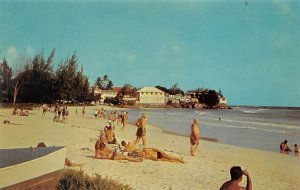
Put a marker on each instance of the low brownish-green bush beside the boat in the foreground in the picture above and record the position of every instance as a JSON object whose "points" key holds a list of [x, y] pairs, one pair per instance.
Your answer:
{"points": [[73, 179]]}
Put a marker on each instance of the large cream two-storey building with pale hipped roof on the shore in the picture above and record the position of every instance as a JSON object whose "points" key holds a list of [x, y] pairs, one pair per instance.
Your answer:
{"points": [[151, 95]]}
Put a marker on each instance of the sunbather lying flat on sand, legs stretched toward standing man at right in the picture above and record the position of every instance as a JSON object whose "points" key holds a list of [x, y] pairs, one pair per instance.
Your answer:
{"points": [[158, 155]]}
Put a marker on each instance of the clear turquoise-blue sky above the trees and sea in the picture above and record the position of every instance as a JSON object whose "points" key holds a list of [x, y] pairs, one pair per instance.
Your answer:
{"points": [[251, 52]]}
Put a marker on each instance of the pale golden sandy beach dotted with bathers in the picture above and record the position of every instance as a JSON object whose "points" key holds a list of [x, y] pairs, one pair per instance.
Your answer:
{"points": [[208, 170]]}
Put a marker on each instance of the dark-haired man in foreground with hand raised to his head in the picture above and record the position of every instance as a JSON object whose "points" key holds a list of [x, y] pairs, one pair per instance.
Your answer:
{"points": [[236, 174]]}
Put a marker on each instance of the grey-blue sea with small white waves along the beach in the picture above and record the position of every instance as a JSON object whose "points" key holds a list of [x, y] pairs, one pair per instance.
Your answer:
{"points": [[253, 127]]}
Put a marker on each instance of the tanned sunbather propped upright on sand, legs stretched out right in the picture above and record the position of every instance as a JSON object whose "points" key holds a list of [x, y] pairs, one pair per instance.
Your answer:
{"points": [[102, 151]]}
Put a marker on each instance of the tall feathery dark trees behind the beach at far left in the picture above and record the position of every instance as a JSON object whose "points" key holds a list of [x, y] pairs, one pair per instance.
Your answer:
{"points": [[36, 81]]}
